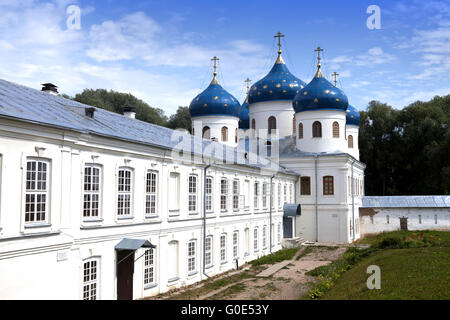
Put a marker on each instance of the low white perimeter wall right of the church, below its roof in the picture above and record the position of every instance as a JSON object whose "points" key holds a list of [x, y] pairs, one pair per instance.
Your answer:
{"points": [[375, 220]]}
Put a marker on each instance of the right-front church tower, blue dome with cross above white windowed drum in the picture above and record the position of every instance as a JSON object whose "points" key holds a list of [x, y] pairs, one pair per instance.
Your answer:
{"points": [[320, 113]]}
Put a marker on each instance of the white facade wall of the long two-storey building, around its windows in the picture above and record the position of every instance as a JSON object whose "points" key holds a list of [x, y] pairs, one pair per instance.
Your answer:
{"points": [[29, 267]]}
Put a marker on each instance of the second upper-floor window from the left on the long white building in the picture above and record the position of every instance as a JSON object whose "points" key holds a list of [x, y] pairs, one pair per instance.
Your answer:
{"points": [[91, 194]]}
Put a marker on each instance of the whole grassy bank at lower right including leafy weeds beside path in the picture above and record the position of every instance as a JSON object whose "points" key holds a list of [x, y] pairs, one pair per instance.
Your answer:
{"points": [[413, 264]]}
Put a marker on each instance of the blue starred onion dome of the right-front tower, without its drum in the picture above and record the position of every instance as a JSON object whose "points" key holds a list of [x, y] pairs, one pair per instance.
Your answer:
{"points": [[320, 94]]}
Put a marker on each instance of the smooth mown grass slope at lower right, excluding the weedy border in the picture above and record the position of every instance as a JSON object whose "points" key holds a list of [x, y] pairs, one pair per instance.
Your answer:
{"points": [[417, 273]]}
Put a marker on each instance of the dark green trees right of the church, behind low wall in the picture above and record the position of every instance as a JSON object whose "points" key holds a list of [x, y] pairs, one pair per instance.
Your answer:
{"points": [[407, 152]]}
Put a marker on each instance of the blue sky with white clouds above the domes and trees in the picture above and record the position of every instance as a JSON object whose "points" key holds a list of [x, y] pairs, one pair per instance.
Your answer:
{"points": [[161, 51]]}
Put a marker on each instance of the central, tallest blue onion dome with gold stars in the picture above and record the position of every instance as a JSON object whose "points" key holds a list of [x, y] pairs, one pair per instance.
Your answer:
{"points": [[278, 84]]}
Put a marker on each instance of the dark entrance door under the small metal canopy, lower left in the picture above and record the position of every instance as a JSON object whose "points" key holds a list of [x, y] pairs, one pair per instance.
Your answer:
{"points": [[125, 271]]}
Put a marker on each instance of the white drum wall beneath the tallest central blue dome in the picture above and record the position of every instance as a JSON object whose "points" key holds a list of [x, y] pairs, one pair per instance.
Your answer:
{"points": [[282, 110]]}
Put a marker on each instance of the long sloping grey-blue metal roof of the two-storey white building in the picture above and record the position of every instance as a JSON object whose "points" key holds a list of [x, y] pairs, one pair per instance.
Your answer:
{"points": [[31, 105]]}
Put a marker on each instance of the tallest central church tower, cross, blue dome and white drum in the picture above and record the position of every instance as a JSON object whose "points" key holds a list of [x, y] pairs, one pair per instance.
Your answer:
{"points": [[270, 99]]}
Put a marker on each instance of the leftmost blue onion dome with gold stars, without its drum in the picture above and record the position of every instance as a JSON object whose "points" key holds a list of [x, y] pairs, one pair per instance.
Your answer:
{"points": [[214, 101]]}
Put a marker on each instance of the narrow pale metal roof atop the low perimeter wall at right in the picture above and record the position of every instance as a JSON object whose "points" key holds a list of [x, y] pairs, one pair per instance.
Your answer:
{"points": [[406, 202]]}
